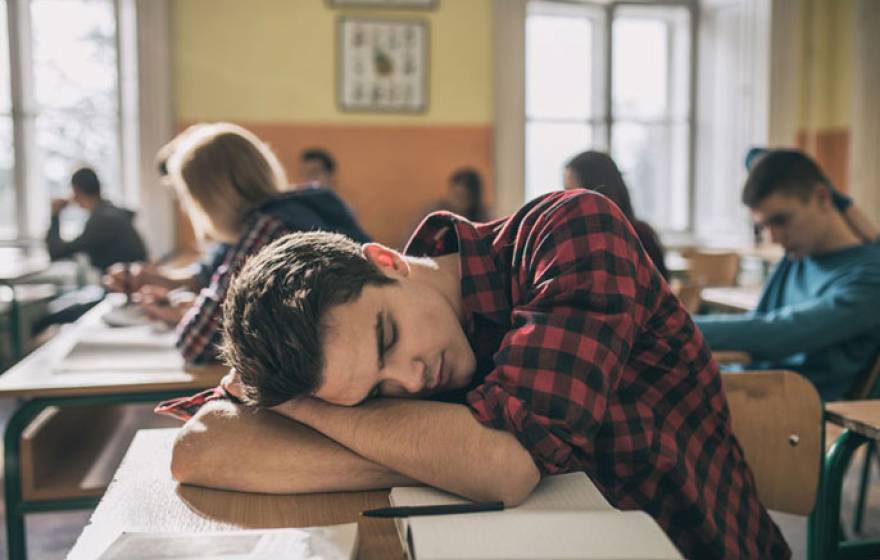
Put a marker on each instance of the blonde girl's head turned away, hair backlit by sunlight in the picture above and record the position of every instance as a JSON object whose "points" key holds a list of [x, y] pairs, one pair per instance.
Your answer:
{"points": [[220, 172]]}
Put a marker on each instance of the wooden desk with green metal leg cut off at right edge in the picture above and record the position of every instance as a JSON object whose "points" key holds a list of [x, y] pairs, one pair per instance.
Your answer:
{"points": [[861, 420]]}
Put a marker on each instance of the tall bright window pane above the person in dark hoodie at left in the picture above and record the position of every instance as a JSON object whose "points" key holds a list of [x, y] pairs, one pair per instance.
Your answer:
{"points": [[75, 84]]}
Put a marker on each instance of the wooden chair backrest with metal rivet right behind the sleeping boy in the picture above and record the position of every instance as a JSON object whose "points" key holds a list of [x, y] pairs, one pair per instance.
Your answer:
{"points": [[777, 418]]}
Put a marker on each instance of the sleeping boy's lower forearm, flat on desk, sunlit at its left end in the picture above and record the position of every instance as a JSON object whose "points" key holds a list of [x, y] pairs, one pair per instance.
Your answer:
{"points": [[232, 447]]}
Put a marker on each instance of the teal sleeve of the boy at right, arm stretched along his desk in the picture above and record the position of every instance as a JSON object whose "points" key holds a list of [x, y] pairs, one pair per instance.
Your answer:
{"points": [[835, 316]]}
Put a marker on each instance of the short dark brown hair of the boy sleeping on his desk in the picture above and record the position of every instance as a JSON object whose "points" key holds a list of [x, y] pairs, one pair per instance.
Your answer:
{"points": [[274, 311]]}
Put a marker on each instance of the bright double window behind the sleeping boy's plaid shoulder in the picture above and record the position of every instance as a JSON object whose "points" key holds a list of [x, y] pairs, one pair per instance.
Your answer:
{"points": [[639, 109]]}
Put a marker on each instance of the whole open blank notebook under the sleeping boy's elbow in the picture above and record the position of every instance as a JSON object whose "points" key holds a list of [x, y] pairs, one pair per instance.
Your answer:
{"points": [[566, 517]]}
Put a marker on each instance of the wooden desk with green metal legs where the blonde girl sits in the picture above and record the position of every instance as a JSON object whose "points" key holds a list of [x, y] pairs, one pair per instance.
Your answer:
{"points": [[34, 378]]}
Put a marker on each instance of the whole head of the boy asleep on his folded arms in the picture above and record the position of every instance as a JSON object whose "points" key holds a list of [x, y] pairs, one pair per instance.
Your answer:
{"points": [[314, 313]]}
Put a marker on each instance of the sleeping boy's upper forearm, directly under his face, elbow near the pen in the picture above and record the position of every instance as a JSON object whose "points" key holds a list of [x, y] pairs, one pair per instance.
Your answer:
{"points": [[439, 444]]}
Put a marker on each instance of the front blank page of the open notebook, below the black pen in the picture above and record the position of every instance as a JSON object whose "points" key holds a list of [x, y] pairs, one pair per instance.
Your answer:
{"points": [[530, 535]]}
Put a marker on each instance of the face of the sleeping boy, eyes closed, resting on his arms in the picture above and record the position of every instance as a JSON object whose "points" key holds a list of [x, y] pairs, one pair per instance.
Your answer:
{"points": [[400, 340]]}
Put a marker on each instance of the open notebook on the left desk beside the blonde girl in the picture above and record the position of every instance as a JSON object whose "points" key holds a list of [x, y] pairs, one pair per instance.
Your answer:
{"points": [[122, 349]]}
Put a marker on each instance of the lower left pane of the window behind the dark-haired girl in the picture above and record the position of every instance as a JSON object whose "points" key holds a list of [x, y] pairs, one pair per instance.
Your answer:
{"points": [[548, 147]]}
